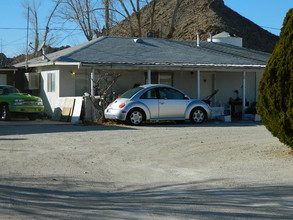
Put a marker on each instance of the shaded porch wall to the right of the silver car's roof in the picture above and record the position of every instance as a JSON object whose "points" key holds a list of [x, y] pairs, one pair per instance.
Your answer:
{"points": [[225, 82]]}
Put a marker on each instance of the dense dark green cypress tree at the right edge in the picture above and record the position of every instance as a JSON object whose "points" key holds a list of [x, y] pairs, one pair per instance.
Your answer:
{"points": [[275, 102]]}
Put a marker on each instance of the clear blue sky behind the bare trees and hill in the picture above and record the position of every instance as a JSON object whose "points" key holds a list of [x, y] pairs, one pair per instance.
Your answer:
{"points": [[269, 14]]}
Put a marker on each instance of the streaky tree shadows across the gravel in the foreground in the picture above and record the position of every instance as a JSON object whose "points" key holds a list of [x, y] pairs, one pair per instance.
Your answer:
{"points": [[60, 198]]}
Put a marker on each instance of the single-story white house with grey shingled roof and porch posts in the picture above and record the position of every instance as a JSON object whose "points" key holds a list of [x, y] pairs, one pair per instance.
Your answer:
{"points": [[197, 68]]}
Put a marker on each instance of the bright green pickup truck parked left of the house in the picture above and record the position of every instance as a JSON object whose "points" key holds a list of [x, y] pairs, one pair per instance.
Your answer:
{"points": [[14, 102]]}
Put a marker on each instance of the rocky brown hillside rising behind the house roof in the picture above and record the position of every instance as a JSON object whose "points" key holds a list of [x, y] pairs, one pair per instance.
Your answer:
{"points": [[200, 15]]}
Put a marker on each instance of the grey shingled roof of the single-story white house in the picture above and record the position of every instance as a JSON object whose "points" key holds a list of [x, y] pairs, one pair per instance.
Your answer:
{"points": [[129, 52]]}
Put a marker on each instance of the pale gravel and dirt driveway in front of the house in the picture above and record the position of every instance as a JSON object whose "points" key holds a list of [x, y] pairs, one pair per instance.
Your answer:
{"points": [[157, 171]]}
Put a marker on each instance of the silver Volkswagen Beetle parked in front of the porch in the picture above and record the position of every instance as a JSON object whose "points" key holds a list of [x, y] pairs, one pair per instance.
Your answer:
{"points": [[156, 102]]}
